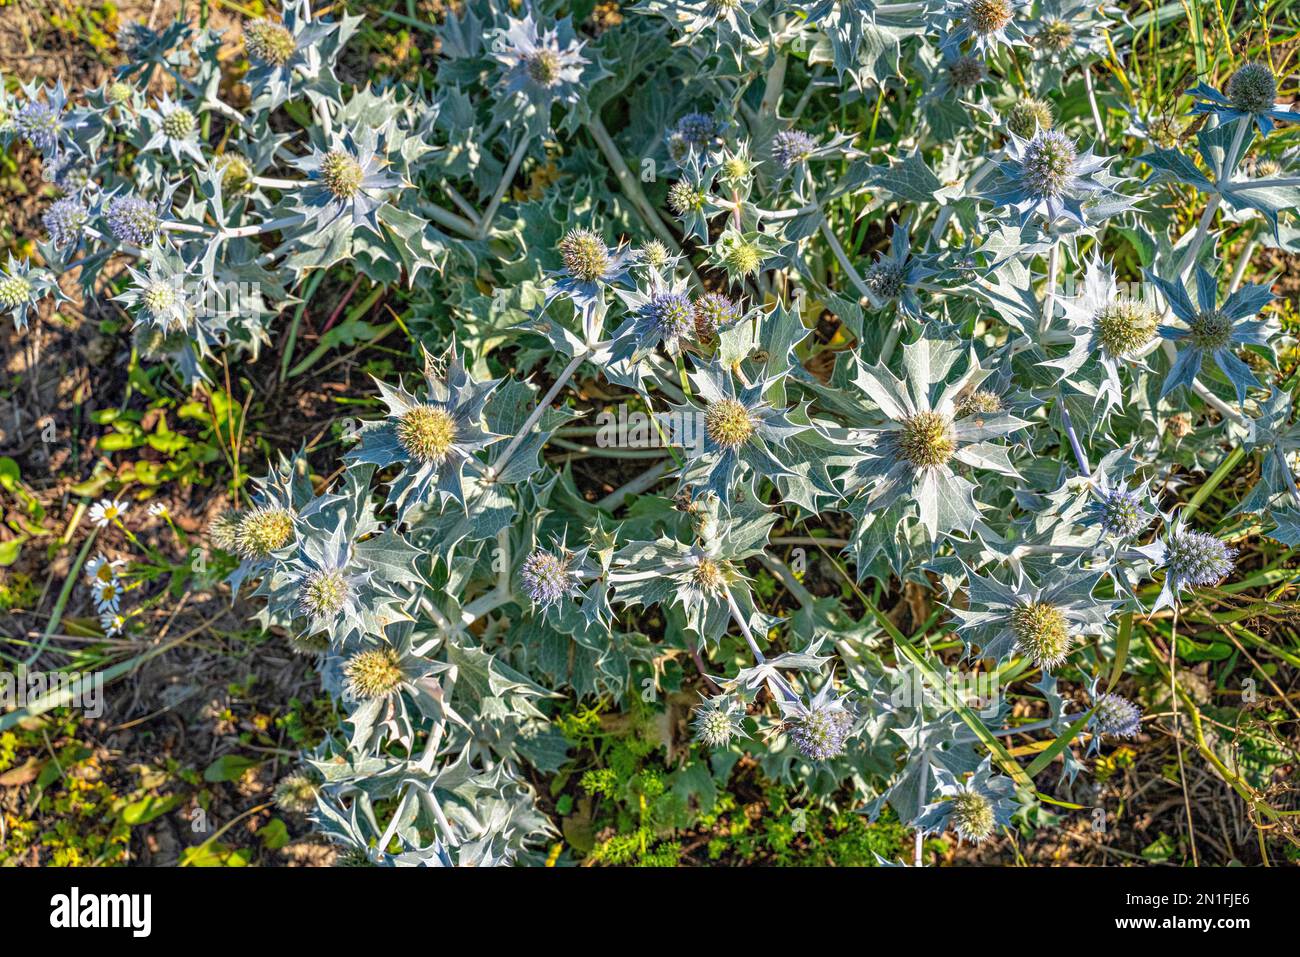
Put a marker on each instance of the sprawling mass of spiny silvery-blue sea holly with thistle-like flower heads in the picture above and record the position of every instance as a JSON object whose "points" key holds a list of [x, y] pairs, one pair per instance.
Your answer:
{"points": [[907, 423]]}
